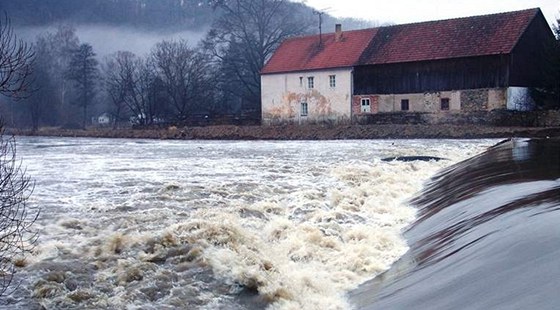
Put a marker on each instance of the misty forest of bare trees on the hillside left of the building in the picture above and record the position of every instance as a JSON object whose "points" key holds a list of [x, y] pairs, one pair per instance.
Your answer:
{"points": [[179, 81]]}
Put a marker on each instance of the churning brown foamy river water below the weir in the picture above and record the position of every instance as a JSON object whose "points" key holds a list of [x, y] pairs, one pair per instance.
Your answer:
{"points": [[140, 224]]}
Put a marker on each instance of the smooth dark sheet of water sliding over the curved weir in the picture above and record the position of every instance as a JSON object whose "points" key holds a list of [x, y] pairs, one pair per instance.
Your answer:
{"points": [[487, 236]]}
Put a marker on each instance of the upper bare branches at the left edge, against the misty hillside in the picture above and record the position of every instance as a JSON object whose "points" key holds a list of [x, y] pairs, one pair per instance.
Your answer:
{"points": [[16, 58]]}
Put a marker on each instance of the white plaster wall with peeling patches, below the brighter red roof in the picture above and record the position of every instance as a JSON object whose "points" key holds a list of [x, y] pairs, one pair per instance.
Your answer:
{"points": [[282, 95]]}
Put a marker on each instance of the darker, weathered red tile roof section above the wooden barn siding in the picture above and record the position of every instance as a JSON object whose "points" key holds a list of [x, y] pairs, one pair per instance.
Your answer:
{"points": [[453, 38]]}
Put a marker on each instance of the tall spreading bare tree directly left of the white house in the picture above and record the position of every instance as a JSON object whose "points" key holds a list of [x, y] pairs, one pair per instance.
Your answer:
{"points": [[244, 37]]}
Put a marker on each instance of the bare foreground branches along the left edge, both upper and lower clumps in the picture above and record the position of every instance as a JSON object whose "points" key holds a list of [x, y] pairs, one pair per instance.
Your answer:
{"points": [[16, 239]]}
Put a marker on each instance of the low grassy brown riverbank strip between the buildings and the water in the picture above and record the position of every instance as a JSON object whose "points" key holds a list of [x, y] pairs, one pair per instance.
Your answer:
{"points": [[305, 132]]}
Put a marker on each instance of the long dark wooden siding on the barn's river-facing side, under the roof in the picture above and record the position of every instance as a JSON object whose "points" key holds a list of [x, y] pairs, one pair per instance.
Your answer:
{"points": [[432, 76]]}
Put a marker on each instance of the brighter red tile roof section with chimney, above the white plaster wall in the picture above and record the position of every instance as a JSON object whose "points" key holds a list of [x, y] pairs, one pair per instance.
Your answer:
{"points": [[305, 53]]}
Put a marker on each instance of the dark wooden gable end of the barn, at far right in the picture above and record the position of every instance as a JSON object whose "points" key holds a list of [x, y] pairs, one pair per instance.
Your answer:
{"points": [[529, 57]]}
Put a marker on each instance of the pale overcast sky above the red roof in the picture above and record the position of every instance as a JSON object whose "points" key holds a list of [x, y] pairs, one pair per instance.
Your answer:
{"points": [[408, 11]]}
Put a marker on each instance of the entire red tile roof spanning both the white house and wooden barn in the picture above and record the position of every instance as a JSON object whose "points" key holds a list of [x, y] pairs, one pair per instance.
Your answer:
{"points": [[453, 38]]}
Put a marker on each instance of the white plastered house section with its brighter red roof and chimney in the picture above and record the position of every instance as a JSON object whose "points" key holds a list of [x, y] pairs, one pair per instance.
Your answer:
{"points": [[309, 79]]}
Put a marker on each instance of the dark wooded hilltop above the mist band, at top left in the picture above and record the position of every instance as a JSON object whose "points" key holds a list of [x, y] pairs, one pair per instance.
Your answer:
{"points": [[148, 14]]}
